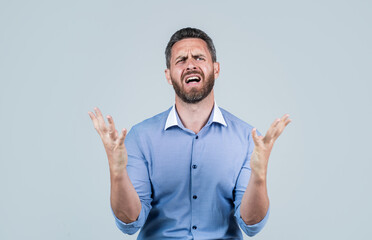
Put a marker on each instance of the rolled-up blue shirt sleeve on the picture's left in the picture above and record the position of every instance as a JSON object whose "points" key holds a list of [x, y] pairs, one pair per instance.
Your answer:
{"points": [[137, 168]]}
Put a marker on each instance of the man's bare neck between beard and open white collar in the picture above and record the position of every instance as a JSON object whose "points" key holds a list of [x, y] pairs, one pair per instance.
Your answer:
{"points": [[194, 116]]}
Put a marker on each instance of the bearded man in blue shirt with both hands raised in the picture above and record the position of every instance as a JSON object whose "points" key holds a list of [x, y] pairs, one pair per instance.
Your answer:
{"points": [[194, 171]]}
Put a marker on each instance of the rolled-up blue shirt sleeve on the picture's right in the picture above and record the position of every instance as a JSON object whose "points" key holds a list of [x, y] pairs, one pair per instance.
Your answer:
{"points": [[240, 187]]}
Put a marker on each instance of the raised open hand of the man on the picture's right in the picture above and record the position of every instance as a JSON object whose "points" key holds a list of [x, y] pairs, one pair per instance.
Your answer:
{"points": [[264, 145]]}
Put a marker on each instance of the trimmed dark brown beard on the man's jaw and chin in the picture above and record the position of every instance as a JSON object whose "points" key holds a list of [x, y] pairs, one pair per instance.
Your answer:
{"points": [[194, 95]]}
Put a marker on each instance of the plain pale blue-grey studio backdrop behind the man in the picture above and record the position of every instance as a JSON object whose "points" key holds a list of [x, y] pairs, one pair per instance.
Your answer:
{"points": [[60, 59]]}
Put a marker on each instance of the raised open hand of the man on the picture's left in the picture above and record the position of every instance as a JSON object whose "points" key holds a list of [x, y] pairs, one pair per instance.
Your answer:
{"points": [[112, 141]]}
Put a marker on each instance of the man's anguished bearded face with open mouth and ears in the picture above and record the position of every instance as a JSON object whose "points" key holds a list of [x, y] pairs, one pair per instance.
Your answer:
{"points": [[192, 71]]}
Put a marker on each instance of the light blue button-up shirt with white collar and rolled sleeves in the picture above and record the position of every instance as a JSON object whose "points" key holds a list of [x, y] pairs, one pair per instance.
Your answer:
{"points": [[190, 185]]}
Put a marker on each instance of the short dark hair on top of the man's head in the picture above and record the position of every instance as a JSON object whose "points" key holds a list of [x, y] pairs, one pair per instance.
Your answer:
{"points": [[189, 33]]}
